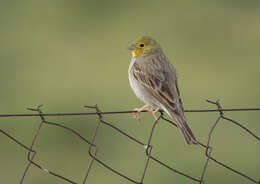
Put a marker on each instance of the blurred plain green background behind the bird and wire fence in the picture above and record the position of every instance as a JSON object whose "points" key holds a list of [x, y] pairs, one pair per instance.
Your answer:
{"points": [[66, 54]]}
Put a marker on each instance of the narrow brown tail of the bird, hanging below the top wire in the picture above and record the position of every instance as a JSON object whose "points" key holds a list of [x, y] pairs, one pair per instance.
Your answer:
{"points": [[183, 126]]}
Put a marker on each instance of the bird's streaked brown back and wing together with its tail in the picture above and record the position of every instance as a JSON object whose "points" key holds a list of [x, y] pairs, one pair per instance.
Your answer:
{"points": [[159, 78]]}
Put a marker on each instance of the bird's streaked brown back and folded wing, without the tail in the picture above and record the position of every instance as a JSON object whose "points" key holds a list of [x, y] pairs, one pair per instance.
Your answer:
{"points": [[158, 76]]}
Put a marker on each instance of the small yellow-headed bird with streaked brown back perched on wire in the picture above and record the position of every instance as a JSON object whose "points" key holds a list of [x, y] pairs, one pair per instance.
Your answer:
{"points": [[154, 80]]}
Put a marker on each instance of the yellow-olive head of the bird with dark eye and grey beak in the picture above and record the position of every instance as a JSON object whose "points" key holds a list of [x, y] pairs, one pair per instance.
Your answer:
{"points": [[144, 47]]}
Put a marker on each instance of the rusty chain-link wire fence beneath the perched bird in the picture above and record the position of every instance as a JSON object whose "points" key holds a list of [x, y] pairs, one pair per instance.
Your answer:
{"points": [[93, 147]]}
